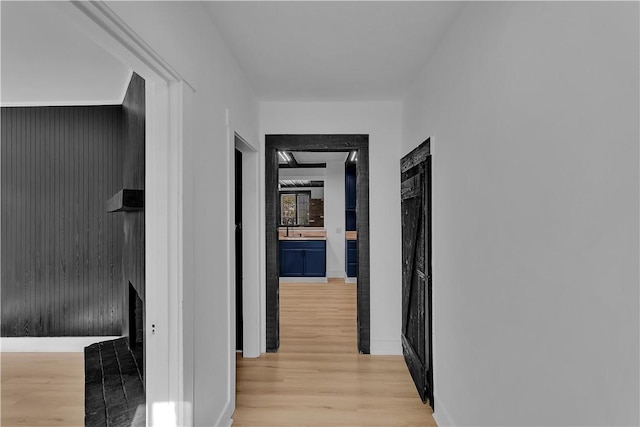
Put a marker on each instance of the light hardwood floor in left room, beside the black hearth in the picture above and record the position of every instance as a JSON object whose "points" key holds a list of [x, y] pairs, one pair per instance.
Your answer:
{"points": [[42, 389]]}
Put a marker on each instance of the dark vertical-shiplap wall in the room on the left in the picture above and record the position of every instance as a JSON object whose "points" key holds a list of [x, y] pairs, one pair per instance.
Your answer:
{"points": [[61, 252]]}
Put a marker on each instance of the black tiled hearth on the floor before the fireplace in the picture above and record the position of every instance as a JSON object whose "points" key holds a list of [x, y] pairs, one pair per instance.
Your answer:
{"points": [[114, 387]]}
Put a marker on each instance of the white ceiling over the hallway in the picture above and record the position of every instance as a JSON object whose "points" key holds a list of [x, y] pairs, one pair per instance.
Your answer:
{"points": [[328, 50]]}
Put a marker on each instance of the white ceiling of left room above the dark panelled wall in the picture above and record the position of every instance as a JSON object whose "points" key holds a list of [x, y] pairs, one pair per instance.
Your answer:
{"points": [[45, 61]]}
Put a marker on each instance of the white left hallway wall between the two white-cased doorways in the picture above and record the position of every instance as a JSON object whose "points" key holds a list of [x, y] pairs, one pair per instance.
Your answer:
{"points": [[181, 32]]}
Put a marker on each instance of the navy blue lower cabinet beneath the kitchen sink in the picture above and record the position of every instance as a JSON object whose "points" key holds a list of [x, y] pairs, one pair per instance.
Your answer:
{"points": [[303, 258]]}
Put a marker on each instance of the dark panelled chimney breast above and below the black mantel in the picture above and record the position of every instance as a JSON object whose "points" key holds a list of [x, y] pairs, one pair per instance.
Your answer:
{"points": [[133, 120]]}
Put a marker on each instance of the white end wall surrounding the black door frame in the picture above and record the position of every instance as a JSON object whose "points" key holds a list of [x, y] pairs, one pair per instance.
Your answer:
{"points": [[381, 120]]}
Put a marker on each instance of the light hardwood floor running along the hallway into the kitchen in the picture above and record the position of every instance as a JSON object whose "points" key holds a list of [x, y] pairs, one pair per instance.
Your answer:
{"points": [[318, 378]]}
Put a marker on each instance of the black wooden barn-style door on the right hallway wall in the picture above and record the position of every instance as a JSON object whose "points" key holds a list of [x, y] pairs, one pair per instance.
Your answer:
{"points": [[416, 268]]}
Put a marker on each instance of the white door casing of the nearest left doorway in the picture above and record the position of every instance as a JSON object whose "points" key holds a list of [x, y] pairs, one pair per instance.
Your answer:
{"points": [[166, 92]]}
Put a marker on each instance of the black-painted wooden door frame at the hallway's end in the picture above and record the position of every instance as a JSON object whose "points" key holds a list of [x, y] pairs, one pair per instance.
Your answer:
{"points": [[346, 143]]}
